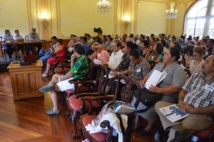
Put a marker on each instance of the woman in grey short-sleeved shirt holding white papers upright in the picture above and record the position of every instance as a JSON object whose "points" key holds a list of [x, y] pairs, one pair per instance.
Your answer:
{"points": [[168, 88]]}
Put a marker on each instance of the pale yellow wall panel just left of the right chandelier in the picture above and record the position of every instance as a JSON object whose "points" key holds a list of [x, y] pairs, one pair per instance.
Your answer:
{"points": [[151, 17]]}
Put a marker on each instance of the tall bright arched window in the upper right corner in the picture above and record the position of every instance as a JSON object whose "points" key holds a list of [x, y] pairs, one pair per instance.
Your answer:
{"points": [[199, 20]]}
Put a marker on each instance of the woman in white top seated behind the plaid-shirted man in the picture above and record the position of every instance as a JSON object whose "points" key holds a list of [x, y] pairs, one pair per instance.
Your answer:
{"points": [[196, 64]]}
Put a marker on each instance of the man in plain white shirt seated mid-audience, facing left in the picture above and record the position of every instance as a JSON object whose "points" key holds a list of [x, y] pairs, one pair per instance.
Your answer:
{"points": [[116, 55]]}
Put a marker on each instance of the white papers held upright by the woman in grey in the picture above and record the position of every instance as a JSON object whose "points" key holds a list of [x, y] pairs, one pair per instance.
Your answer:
{"points": [[155, 78]]}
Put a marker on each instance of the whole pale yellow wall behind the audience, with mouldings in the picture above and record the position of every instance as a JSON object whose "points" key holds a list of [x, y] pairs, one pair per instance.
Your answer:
{"points": [[81, 16]]}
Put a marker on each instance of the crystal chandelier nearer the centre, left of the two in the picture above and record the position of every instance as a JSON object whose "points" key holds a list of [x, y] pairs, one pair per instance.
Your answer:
{"points": [[103, 6]]}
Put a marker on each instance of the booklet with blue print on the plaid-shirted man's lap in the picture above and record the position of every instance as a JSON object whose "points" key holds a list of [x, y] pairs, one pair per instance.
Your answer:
{"points": [[173, 113]]}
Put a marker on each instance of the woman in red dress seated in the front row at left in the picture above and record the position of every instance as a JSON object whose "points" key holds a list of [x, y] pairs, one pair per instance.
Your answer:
{"points": [[60, 56]]}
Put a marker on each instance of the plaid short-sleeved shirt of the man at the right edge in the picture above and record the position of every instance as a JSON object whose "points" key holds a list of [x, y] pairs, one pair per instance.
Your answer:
{"points": [[200, 93]]}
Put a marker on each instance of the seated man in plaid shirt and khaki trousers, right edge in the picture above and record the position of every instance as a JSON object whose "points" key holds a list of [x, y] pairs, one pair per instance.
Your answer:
{"points": [[195, 98]]}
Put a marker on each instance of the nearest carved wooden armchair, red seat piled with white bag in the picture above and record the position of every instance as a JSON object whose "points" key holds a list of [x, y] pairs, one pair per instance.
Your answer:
{"points": [[127, 96]]}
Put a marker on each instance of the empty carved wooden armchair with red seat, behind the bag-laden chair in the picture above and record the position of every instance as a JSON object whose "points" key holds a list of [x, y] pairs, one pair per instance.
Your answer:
{"points": [[97, 87]]}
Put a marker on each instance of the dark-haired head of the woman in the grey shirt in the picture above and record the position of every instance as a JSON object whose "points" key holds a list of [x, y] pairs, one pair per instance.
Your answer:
{"points": [[171, 55]]}
